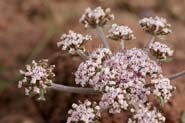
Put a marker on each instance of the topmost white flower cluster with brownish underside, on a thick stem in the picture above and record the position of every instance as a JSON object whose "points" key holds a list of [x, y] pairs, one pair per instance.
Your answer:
{"points": [[96, 17]]}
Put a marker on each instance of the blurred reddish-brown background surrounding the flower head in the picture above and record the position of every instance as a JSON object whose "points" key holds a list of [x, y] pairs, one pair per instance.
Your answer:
{"points": [[30, 29]]}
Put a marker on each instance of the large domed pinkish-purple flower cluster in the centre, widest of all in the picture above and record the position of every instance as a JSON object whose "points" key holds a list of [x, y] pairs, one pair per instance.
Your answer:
{"points": [[126, 67]]}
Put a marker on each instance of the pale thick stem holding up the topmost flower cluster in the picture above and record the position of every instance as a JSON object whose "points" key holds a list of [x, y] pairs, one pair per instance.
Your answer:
{"points": [[101, 34]]}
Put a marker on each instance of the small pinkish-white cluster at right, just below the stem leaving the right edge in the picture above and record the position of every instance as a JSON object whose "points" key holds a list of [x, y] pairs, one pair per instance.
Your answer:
{"points": [[162, 88]]}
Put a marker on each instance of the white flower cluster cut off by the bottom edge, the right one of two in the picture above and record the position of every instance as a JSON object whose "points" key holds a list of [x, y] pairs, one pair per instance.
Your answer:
{"points": [[147, 115]]}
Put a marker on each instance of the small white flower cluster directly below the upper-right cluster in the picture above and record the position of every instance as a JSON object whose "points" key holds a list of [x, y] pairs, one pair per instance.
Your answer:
{"points": [[160, 51]]}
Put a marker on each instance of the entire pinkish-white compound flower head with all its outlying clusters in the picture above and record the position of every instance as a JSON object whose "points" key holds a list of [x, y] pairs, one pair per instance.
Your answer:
{"points": [[125, 78]]}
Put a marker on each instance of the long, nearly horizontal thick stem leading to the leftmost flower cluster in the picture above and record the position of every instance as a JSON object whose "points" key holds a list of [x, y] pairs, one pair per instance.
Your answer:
{"points": [[78, 90]]}
